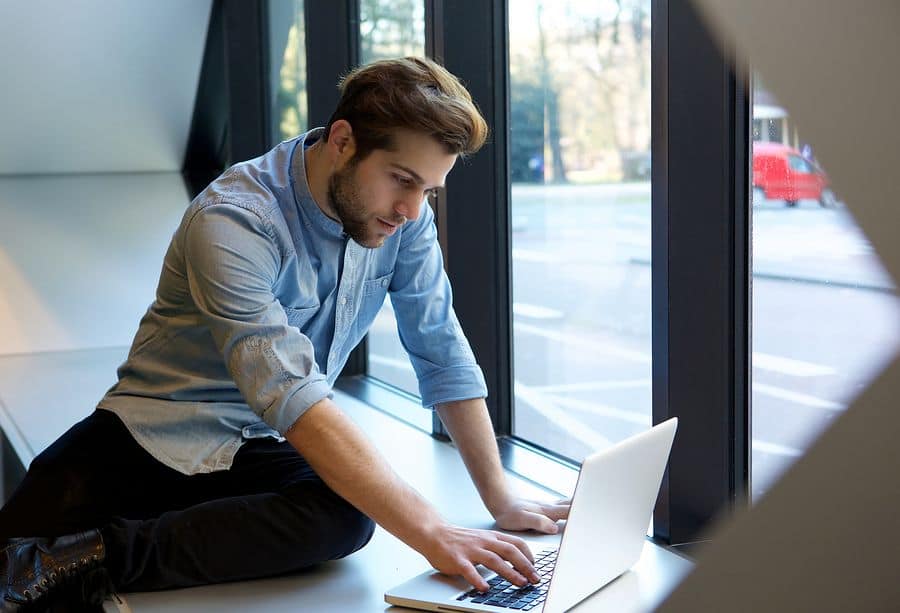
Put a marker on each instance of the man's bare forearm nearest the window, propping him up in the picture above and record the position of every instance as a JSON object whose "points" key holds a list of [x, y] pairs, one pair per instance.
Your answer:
{"points": [[470, 428]]}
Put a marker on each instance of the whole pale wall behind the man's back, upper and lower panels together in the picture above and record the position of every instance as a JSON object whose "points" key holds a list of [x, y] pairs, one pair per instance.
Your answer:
{"points": [[95, 112]]}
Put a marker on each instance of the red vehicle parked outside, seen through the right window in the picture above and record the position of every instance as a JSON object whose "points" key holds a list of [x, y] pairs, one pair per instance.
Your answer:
{"points": [[781, 173]]}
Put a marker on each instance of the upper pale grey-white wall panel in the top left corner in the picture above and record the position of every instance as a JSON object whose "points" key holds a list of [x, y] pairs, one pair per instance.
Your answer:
{"points": [[98, 85]]}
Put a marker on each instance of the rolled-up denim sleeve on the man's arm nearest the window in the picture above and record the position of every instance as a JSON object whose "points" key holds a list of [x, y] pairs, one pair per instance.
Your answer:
{"points": [[429, 330]]}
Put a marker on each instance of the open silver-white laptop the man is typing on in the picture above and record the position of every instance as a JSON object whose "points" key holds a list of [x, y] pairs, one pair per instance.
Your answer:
{"points": [[603, 537]]}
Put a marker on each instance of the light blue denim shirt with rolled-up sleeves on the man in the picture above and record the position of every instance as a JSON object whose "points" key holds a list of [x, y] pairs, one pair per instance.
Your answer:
{"points": [[260, 300]]}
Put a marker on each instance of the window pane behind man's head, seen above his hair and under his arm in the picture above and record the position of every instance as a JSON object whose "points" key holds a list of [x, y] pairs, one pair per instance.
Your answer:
{"points": [[392, 28]]}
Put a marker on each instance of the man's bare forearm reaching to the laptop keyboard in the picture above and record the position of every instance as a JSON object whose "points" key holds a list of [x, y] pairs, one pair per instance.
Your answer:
{"points": [[343, 457]]}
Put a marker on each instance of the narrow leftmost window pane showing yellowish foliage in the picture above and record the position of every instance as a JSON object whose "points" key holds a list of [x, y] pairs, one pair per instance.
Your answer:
{"points": [[288, 43]]}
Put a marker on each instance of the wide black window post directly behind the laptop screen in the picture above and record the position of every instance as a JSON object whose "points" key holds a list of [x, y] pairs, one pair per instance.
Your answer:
{"points": [[700, 230]]}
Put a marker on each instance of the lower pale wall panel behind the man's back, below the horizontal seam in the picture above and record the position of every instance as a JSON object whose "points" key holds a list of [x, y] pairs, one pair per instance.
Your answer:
{"points": [[80, 256]]}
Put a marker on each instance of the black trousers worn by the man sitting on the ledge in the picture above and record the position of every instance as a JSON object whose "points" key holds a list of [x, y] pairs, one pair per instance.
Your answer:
{"points": [[269, 514]]}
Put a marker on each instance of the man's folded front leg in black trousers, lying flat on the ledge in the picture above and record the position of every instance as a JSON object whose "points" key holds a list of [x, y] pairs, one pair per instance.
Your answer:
{"points": [[230, 539]]}
